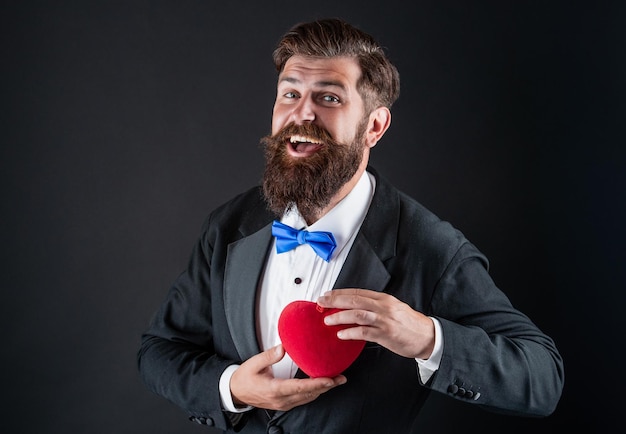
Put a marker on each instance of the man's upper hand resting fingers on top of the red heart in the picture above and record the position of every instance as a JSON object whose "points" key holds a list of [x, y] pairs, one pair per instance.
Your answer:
{"points": [[381, 318]]}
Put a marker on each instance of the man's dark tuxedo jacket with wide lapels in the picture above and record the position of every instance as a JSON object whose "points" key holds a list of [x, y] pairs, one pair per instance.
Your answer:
{"points": [[494, 356]]}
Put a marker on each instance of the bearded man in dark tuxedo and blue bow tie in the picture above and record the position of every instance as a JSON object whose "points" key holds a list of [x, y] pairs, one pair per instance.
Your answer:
{"points": [[407, 283]]}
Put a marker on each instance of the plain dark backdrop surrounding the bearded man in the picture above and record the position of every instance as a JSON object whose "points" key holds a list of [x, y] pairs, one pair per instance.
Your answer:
{"points": [[124, 123]]}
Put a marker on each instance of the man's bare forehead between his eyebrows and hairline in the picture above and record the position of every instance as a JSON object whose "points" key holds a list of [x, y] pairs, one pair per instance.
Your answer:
{"points": [[339, 71]]}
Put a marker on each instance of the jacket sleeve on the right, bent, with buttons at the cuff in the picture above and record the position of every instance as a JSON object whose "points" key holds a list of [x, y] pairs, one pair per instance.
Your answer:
{"points": [[493, 356]]}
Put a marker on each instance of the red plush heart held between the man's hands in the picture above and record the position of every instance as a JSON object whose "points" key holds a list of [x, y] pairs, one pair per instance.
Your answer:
{"points": [[313, 345]]}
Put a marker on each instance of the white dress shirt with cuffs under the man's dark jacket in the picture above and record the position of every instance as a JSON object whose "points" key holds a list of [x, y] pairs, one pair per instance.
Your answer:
{"points": [[300, 274]]}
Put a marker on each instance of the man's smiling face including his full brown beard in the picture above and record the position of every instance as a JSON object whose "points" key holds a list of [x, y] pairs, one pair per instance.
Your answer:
{"points": [[317, 146]]}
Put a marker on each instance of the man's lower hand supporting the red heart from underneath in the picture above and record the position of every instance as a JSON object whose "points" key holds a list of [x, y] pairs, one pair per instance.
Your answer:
{"points": [[253, 384]]}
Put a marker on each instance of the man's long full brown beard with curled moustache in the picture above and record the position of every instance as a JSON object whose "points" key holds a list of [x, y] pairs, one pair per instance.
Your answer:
{"points": [[309, 182]]}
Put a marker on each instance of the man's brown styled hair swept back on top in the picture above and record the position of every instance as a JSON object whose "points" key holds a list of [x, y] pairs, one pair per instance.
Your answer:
{"points": [[379, 84]]}
